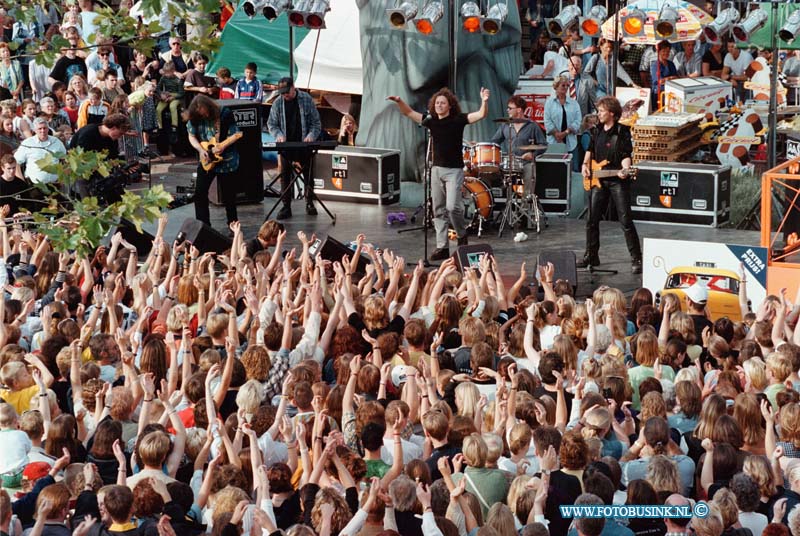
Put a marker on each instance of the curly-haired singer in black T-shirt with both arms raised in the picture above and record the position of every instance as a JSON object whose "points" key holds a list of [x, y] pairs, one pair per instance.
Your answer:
{"points": [[446, 123]]}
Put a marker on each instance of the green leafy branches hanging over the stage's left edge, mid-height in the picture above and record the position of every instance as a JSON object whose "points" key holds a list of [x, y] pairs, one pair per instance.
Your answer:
{"points": [[81, 225]]}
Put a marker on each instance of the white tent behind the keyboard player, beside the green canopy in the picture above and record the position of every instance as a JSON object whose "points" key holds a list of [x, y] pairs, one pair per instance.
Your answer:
{"points": [[337, 64]]}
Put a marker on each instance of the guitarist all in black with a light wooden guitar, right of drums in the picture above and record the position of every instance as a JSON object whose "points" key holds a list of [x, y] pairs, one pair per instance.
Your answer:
{"points": [[610, 141]]}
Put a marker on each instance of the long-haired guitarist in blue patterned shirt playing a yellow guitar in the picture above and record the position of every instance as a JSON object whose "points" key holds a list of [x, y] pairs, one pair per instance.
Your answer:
{"points": [[205, 120]]}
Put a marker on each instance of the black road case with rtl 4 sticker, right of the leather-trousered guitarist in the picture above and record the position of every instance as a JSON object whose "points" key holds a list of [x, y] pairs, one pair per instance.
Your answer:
{"points": [[682, 194]]}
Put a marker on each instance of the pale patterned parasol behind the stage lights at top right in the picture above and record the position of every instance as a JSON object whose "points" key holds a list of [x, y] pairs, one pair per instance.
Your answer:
{"points": [[691, 20]]}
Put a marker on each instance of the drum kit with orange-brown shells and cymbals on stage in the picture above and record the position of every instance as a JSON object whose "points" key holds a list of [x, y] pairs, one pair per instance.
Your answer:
{"points": [[487, 167]]}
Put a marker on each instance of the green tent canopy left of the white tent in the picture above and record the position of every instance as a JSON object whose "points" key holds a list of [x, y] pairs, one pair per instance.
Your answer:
{"points": [[258, 40]]}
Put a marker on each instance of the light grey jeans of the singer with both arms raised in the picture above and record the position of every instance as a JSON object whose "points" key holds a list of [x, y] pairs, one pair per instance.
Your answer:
{"points": [[448, 206]]}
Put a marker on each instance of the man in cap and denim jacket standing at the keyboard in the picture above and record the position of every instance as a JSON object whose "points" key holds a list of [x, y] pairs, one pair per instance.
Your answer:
{"points": [[294, 118]]}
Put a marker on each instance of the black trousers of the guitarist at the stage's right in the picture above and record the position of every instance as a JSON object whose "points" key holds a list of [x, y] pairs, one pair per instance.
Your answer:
{"points": [[620, 191]]}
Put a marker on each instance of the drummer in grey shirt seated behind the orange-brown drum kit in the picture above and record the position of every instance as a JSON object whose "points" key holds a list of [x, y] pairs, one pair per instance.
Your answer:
{"points": [[525, 132]]}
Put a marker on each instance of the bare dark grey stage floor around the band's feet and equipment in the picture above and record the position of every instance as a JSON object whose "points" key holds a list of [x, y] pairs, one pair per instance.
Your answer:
{"points": [[351, 219]]}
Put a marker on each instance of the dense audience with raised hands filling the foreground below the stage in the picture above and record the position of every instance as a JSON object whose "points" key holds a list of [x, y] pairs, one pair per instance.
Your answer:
{"points": [[266, 390]]}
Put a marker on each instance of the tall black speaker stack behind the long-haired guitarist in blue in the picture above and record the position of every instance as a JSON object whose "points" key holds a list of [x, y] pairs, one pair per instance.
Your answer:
{"points": [[250, 175]]}
